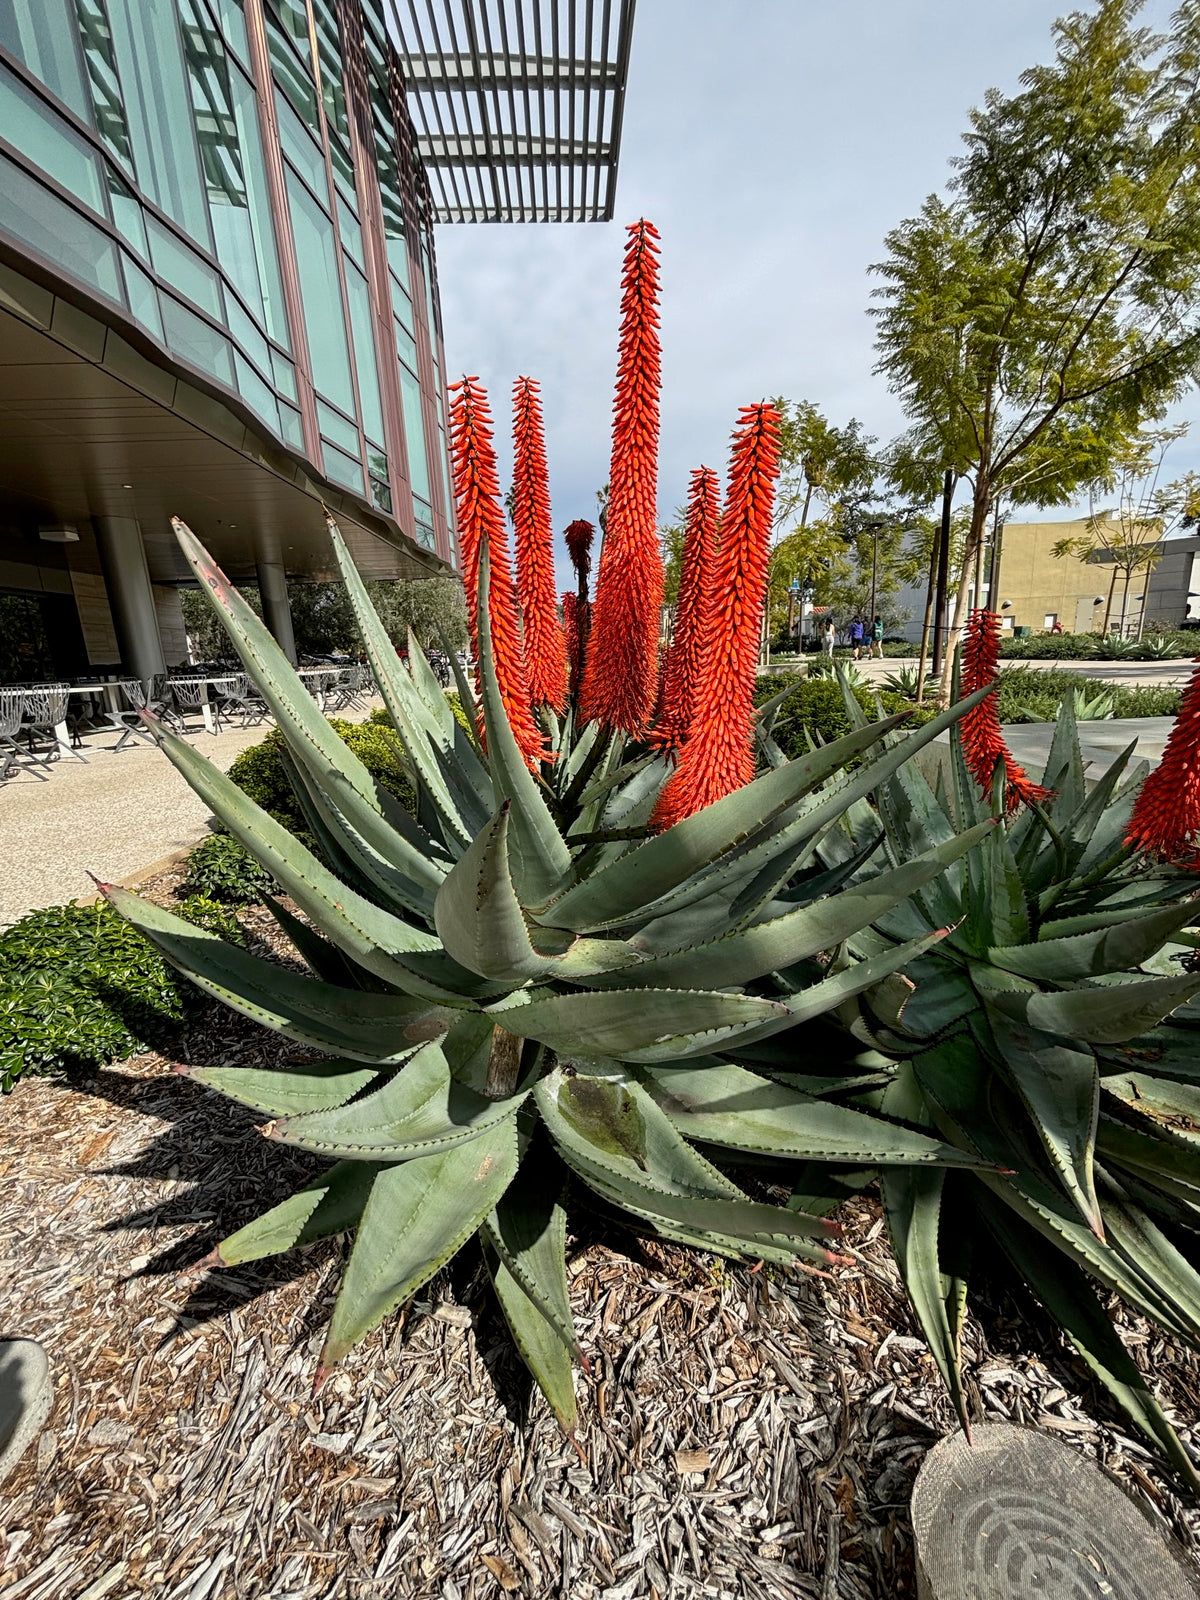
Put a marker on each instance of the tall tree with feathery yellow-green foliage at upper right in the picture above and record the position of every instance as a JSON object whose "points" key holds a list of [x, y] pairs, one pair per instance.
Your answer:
{"points": [[1039, 316]]}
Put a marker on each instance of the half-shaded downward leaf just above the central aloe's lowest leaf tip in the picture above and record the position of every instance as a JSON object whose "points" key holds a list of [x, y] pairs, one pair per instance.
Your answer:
{"points": [[529, 1233]]}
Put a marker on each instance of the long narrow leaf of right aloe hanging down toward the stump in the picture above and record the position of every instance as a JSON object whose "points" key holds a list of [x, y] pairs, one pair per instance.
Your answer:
{"points": [[913, 1204]]}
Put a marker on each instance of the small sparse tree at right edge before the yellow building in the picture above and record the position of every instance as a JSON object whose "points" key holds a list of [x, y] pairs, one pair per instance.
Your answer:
{"points": [[1129, 537]]}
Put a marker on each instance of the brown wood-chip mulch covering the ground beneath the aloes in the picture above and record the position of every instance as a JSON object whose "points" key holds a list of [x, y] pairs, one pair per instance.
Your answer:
{"points": [[743, 1434]]}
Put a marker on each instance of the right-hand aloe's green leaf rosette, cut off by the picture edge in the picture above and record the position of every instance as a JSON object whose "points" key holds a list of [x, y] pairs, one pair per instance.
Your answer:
{"points": [[1050, 1036]]}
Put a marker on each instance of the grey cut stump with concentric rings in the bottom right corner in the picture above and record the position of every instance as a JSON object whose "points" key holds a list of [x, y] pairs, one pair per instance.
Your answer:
{"points": [[1017, 1516]]}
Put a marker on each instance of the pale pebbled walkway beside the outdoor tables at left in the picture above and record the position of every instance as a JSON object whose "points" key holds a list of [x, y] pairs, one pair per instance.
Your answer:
{"points": [[113, 815]]}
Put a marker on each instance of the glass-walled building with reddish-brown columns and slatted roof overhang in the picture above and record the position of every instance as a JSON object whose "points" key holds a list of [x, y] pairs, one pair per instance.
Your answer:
{"points": [[218, 292]]}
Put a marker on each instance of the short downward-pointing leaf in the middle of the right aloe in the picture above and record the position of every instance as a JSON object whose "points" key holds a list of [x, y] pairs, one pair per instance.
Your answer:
{"points": [[1060, 1087]]}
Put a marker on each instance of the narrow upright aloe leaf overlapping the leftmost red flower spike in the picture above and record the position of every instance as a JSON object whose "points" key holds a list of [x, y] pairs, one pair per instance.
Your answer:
{"points": [[542, 860]]}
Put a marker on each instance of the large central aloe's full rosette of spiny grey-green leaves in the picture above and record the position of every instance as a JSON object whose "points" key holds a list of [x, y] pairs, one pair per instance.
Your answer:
{"points": [[514, 988]]}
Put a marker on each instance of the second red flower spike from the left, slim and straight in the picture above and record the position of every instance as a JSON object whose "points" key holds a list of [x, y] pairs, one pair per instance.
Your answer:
{"points": [[545, 649]]}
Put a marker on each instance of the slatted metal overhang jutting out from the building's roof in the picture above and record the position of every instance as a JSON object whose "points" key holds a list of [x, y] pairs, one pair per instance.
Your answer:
{"points": [[516, 105]]}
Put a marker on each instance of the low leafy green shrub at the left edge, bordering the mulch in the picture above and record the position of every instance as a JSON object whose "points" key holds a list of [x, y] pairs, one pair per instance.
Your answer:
{"points": [[81, 988]]}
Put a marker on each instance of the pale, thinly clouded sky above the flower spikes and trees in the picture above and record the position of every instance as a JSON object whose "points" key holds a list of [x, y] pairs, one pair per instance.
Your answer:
{"points": [[774, 143]]}
